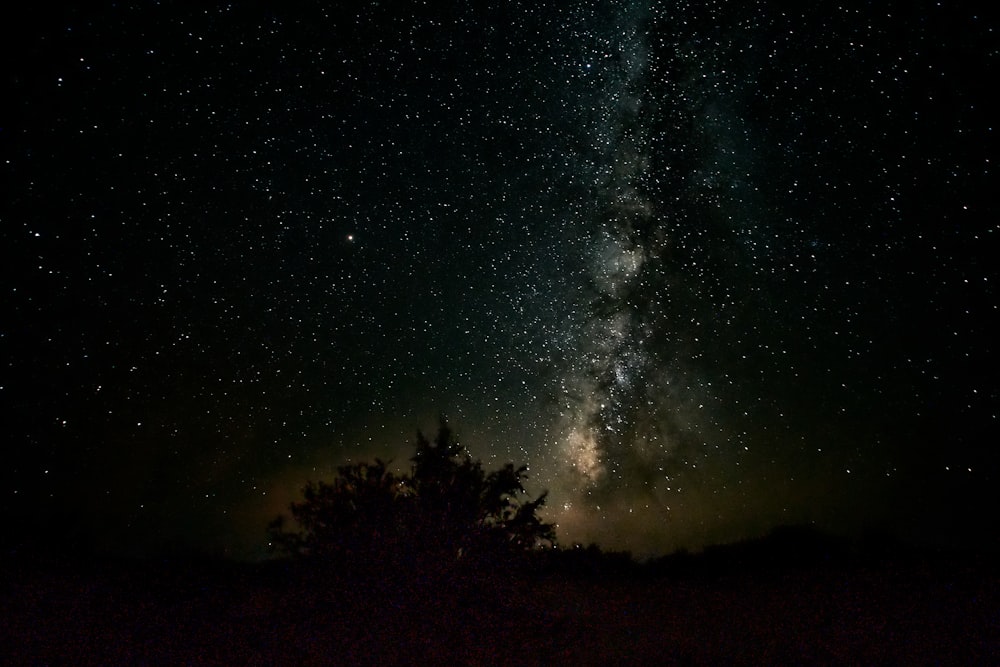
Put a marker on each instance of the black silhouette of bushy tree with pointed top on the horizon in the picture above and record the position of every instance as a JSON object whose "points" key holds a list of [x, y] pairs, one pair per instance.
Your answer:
{"points": [[447, 508]]}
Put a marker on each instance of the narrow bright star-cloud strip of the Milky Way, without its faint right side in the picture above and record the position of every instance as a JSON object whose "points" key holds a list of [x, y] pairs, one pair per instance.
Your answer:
{"points": [[602, 402]]}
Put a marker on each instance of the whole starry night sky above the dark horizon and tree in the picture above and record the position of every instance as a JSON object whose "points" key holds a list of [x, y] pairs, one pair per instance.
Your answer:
{"points": [[706, 267]]}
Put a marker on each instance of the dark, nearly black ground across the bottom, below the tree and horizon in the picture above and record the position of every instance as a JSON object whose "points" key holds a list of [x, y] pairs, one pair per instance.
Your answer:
{"points": [[904, 611]]}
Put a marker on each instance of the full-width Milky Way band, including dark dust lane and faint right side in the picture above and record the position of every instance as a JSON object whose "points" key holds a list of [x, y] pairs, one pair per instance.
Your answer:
{"points": [[626, 425]]}
